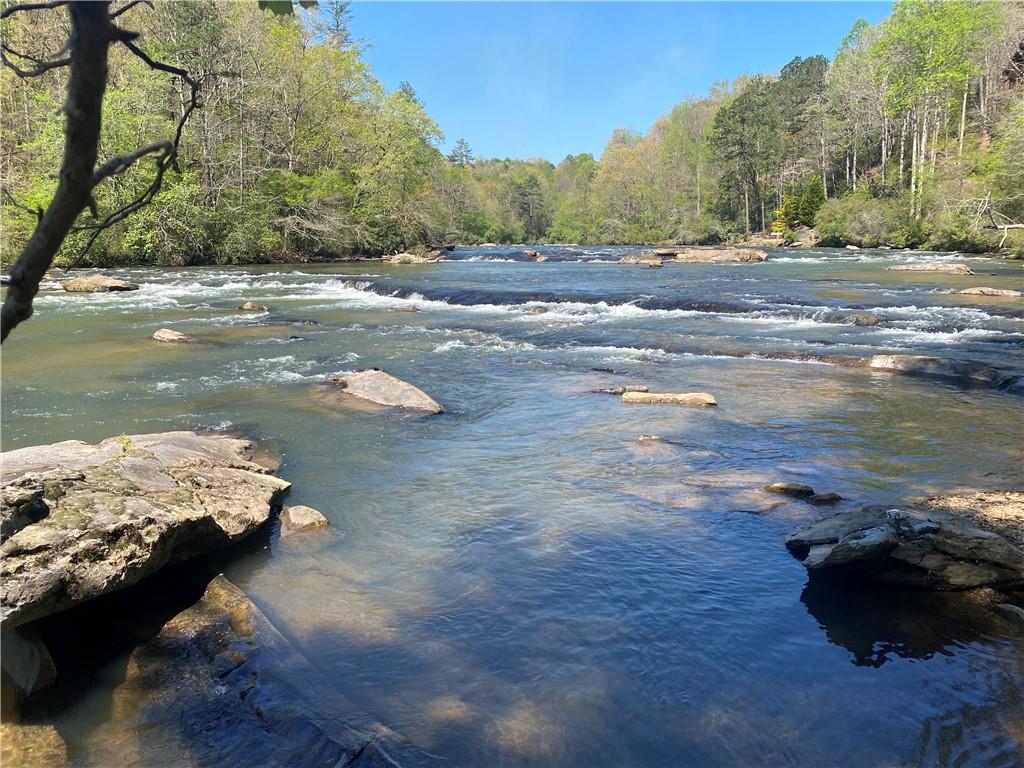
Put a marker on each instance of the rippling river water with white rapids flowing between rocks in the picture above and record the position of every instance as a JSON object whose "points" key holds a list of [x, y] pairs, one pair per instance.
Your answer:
{"points": [[519, 581]]}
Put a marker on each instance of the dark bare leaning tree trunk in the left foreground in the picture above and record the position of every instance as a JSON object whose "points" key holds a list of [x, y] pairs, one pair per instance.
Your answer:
{"points": [[93, 32]]}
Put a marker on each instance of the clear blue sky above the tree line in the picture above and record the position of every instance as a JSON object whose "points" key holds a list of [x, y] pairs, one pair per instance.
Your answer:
{"points": [[544, 80]]}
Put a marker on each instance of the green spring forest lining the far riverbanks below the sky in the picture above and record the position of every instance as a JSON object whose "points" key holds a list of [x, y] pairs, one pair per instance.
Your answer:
{"points": [[912, 136]]}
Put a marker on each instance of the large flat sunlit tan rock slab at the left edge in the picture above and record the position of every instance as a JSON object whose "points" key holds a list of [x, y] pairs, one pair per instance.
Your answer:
{"points": [[82, 521]]}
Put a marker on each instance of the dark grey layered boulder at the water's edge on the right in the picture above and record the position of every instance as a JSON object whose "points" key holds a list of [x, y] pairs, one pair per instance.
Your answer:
{"points": [[910, 547]]}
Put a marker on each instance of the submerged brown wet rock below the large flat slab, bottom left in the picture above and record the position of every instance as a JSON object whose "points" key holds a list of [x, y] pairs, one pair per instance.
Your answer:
{"points": [[221, 686]]}
